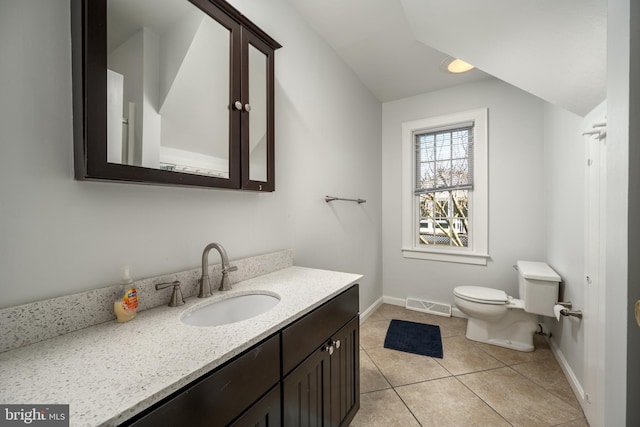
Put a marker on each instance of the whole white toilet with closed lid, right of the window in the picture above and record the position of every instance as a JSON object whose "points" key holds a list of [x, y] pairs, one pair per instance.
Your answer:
{"points": [[498, 319]]}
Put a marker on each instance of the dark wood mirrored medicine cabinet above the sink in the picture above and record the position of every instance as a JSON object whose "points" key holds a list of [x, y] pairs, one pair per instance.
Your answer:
{"points": [[178, 92]]}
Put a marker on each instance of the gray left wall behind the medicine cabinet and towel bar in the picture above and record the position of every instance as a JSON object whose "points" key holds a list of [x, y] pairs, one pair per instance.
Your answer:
{"points": [[60, 236]]}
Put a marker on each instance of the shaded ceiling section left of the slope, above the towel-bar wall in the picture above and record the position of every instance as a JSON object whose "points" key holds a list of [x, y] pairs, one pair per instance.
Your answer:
{"points": [[374, 38]]}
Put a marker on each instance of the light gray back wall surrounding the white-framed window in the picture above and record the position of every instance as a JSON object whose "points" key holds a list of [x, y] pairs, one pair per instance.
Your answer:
{"points": [[516, 202]]}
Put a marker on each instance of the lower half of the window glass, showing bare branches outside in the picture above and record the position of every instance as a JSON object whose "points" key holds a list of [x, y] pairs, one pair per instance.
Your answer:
{"points": [[444, 218]]}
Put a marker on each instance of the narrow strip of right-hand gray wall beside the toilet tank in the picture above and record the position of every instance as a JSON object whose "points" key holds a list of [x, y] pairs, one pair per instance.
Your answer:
{"points": [[562, 214]]}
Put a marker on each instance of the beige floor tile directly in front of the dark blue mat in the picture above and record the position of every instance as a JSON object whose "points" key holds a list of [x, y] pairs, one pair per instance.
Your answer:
{"points": [[400, 368]]}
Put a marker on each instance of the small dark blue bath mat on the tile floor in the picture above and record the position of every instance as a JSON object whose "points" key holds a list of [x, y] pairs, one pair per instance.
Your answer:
{"points": [[416, 338]]}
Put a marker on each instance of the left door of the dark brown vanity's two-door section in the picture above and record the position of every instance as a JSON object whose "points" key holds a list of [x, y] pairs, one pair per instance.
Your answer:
{"points": [[306, 392]]}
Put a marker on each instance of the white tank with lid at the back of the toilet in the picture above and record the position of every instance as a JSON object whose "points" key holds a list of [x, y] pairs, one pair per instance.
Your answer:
{"points": [[538, 285]]}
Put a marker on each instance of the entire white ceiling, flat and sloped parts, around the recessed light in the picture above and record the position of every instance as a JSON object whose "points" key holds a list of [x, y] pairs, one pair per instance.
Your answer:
{"points": [[554, 49]]}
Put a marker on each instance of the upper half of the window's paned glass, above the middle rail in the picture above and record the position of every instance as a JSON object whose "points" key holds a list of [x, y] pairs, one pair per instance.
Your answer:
{"points": [[444, 159]]}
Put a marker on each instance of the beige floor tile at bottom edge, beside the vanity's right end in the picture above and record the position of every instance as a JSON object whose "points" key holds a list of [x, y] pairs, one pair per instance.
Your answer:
{"points": [[383, 409]]}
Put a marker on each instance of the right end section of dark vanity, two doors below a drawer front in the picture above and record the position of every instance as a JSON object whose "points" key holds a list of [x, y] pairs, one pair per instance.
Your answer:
{"points": [[324, 387]]}
